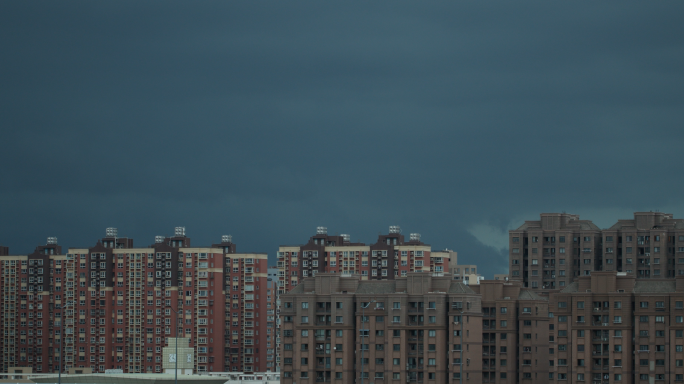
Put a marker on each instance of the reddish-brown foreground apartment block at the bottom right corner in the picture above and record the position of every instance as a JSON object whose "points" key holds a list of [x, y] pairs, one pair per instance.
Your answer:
{"points": [[611, 327]]}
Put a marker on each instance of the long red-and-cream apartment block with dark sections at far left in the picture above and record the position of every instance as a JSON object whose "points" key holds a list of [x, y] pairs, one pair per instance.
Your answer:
{"points": [[115, 306]]}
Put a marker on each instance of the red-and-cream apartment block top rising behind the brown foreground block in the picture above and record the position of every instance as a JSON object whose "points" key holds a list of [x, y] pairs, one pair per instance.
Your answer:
{"points": [[389, 257]]}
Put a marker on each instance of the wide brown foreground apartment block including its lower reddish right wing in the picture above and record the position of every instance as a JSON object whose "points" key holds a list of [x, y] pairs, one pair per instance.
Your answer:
{"points": [[424, 328]]}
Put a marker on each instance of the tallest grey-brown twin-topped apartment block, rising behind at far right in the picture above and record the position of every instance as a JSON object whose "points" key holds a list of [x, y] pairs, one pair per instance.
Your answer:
{"points": [[550, 253]]}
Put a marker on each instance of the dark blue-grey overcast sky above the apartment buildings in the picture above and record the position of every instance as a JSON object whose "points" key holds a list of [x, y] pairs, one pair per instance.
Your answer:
{"points": [[458, 120]]}
